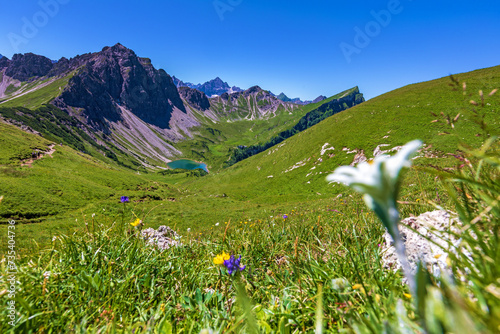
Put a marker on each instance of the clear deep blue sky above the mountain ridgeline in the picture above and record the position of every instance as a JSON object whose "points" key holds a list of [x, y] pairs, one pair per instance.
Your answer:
{"points": [[301, 48]]}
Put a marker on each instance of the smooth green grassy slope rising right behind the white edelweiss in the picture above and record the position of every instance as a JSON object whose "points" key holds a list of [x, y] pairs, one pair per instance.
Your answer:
{"points": [[392, 119]]}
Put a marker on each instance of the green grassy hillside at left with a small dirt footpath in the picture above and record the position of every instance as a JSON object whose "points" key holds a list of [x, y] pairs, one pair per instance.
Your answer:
{"points": [[55, 185]]}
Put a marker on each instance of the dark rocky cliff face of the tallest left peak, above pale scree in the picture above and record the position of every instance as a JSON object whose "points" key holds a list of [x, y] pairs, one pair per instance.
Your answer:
{"points": [[115, 78]]}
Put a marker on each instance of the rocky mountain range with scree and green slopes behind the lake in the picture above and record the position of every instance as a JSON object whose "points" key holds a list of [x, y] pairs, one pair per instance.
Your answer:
{"points": [[115, 104]]}
